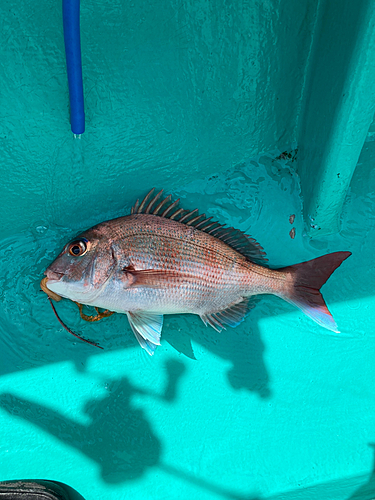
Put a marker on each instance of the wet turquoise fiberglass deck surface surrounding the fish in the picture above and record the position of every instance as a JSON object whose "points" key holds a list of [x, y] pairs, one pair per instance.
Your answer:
{"points": [[277, 408]]}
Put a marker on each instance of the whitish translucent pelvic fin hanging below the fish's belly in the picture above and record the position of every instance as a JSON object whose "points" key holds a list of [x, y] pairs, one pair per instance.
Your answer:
{"points": [[147, 328]]}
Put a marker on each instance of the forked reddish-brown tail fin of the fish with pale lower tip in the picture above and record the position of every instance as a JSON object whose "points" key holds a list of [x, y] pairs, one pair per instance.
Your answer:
{"points": [[307, 278]]}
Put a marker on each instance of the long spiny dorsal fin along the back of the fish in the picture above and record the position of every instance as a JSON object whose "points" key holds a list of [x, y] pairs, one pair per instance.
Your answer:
{"points": [[235, 238]]}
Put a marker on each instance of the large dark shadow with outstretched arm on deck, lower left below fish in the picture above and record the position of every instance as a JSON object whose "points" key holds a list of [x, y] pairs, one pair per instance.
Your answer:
{"points": [[118, 438]]}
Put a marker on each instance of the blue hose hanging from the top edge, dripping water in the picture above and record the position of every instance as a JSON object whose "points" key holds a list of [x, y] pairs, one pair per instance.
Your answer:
{"points": [[74, 64]]}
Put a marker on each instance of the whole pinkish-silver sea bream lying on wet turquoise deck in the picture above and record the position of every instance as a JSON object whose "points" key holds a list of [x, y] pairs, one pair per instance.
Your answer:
{"points": [[162, 259]]}
